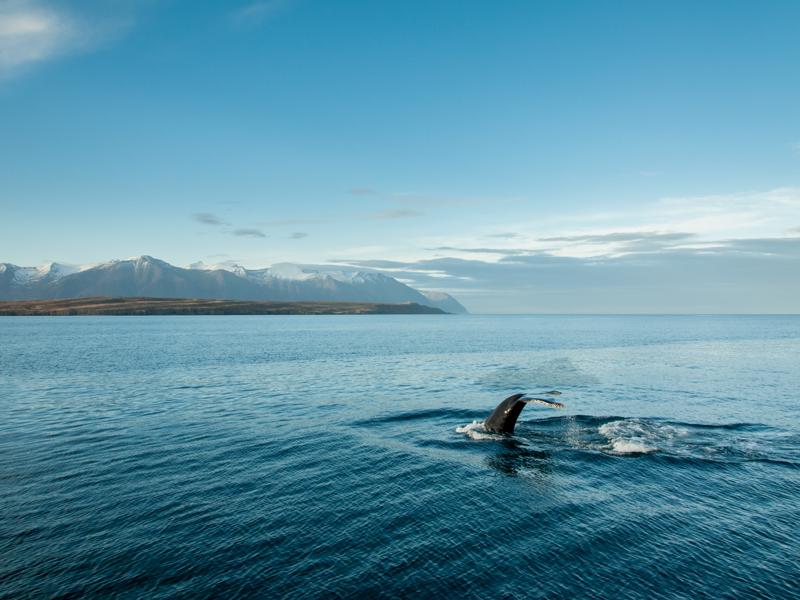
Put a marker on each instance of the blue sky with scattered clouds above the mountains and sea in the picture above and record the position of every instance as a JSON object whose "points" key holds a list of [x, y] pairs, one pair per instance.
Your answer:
{"points": [[524, 156]]}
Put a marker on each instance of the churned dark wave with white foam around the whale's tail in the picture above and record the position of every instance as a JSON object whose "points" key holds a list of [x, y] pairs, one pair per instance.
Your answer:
{"points": [[595, 436]]}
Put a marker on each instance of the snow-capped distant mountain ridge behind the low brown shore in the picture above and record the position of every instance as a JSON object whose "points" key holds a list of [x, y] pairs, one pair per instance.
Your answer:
{"points": [[151, 277]]}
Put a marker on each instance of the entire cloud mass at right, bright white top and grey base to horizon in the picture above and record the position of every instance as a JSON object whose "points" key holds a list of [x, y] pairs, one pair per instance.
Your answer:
{"points": [[717, 253]]}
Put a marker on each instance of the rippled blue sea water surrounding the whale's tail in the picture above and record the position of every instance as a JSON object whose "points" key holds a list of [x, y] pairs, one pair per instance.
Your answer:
{"points": [[325, 457]]}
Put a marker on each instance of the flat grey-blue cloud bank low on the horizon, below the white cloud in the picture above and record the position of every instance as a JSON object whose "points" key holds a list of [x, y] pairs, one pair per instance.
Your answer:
{"points": [[754, 275]]}
